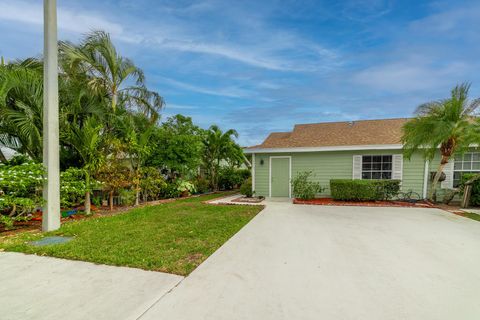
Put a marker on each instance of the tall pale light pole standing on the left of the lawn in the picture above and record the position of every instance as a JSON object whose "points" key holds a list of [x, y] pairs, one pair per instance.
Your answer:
{"points": [[51, 161]]}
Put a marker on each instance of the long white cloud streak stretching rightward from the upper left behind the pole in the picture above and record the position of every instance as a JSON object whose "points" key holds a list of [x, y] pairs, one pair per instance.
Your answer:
{"points": [[269, 49]]}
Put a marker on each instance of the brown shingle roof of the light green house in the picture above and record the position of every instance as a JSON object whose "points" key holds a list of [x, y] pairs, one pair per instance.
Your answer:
{"points": [[362, 132]]}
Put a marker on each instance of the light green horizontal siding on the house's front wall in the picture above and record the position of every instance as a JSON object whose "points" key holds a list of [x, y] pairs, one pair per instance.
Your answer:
{"points": [[327, 165]]}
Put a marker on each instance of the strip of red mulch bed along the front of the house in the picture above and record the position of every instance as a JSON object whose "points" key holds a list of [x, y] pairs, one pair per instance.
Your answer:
{"points": [[331, 202]]}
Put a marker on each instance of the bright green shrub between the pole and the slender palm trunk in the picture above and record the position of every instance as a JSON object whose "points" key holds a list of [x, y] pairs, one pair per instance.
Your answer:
{"points": [[72, 187]]}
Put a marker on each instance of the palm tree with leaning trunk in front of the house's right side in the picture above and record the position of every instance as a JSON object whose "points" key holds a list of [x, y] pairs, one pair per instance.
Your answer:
{"points": [[447, 124]]}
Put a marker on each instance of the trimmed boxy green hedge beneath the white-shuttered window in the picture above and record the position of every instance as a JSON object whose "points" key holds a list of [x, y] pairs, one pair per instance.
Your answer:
{"points": [[363, 190]]}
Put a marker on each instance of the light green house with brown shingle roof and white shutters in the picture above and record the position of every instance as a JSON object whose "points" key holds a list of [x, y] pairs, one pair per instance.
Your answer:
{"points": [[366, 149]]}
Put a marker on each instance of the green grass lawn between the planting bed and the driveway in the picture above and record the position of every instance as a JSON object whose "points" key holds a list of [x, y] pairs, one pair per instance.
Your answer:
{"points": [[173, 237]]}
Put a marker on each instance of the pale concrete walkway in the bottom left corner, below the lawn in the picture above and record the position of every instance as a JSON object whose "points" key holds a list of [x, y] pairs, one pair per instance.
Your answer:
{"points": [[33, 287]]}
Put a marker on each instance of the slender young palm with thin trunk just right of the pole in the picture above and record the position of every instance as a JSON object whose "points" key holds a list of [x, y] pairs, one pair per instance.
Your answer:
{"points": [[88, 140]]}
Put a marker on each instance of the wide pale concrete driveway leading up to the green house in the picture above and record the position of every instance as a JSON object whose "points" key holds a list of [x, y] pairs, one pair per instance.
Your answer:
{"points": [[314, 262]]}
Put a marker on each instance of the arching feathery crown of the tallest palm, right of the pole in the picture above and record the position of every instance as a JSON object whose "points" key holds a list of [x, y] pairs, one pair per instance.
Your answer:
{"points": [[110, 73]]}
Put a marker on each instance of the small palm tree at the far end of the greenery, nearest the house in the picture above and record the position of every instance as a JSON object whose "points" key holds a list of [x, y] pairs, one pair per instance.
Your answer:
{"points": [[218, 146]]}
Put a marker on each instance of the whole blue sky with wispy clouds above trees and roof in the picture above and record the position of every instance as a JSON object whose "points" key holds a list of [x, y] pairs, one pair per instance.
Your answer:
{"points": [[262, 66]]}
